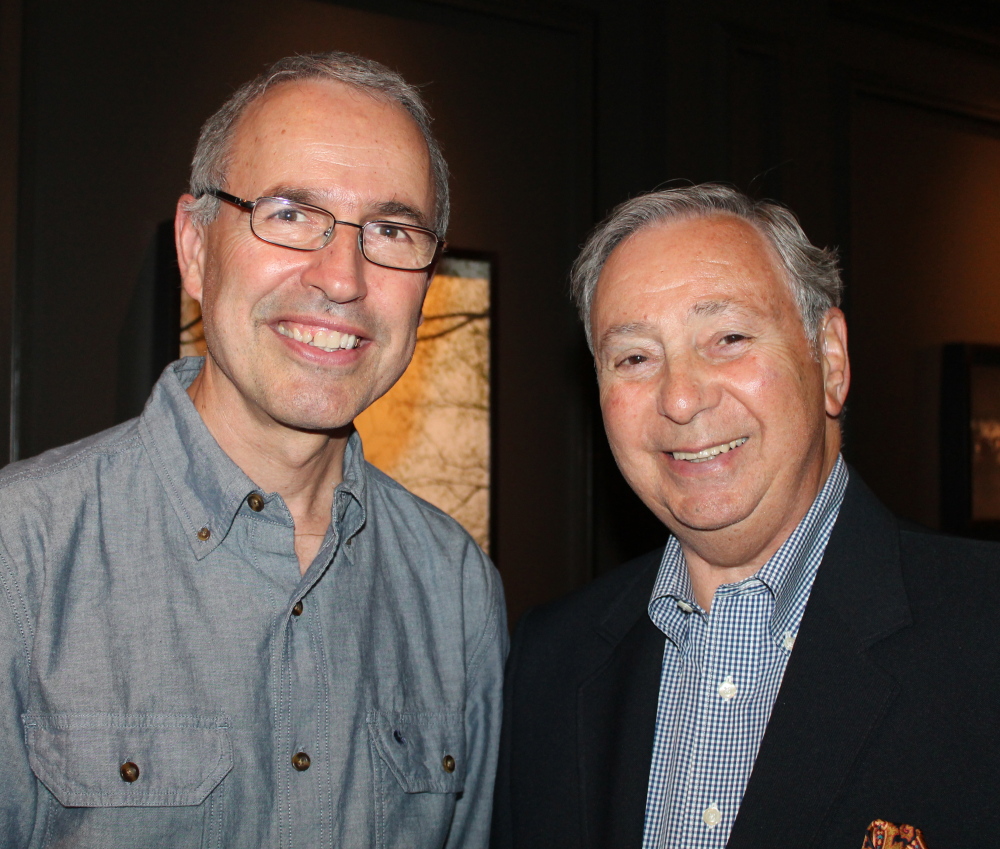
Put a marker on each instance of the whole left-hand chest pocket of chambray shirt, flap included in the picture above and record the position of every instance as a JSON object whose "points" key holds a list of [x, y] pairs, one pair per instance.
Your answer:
{"points": [[130, 779]]}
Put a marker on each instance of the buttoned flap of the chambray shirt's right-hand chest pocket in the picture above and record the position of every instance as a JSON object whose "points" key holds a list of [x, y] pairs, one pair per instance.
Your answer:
{"points": [[424, 751]]}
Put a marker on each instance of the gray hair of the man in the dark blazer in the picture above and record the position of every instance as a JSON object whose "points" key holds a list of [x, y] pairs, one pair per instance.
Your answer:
{"points": [[812, 273]]}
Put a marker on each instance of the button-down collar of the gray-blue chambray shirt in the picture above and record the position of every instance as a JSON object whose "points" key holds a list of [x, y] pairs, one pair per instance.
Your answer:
{"points": [[205, 487]]}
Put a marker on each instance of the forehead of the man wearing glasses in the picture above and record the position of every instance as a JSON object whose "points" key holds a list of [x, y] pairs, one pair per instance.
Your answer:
{"points": [[331, 138]]}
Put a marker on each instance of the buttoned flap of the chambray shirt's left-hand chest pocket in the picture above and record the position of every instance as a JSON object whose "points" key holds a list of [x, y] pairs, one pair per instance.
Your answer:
{"points": [[177, 760]]}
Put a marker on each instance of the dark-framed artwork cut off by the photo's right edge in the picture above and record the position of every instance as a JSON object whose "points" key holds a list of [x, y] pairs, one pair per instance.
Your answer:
{"points": [[970, 440]]}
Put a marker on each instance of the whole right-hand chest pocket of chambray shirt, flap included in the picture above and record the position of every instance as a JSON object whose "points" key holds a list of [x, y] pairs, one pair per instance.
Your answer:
{"points": [[420, 764]]}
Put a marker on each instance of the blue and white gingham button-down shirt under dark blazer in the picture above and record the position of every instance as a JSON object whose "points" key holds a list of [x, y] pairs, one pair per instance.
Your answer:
{"points": [[721, 674]]}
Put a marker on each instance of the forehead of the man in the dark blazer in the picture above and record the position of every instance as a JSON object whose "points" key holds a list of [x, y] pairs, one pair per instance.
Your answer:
{"points": [[683, 263]]}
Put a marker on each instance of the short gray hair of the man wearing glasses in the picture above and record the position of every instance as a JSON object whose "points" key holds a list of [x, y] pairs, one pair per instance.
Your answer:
{"points": [[213, 155]]}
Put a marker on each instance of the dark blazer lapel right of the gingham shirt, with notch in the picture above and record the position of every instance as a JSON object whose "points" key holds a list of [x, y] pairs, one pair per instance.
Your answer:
{"points": [[832, 694]]}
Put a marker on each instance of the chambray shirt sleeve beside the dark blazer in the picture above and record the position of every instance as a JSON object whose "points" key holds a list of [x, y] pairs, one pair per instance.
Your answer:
{"points": [[470, 827]]}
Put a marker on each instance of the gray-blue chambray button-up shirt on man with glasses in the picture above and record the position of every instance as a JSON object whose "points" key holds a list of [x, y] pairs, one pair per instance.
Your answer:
{"points": [[172, 681]]}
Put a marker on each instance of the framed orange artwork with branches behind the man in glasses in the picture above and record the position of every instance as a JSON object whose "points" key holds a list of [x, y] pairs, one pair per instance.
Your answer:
{"points": [[432, 430]]}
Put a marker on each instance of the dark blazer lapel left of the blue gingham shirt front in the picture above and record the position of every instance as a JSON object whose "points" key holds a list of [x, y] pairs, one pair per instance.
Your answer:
{"points": [[616, 713]]}
